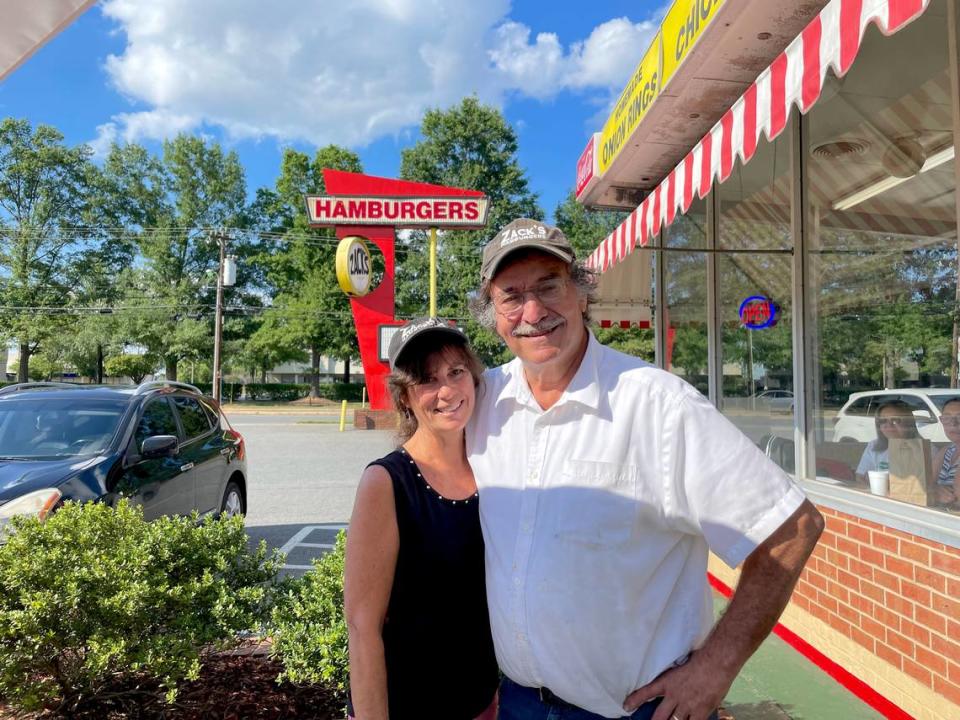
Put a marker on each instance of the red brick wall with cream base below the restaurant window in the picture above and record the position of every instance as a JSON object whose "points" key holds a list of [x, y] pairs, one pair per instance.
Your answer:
{"points": [[885, 606]]}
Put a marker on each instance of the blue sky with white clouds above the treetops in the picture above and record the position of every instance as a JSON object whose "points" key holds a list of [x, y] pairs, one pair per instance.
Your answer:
{"points": [[259, 76]]}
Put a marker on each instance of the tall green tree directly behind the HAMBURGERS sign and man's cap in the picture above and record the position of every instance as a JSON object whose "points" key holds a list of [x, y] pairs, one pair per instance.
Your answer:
{"points": [[471, 146]]}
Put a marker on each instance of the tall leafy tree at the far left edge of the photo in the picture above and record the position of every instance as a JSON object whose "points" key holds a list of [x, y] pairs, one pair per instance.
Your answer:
{"points": [[43, 199]]}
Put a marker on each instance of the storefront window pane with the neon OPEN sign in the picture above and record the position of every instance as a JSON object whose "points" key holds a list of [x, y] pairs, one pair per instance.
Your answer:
{"points": [[754, 273]]}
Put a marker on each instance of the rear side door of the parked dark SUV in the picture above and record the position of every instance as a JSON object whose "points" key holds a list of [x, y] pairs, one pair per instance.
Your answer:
{"points": [[202, 450]]}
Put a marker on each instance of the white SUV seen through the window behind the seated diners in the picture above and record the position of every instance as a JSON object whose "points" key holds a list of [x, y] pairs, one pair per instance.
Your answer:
{"points": [[855, 421]]}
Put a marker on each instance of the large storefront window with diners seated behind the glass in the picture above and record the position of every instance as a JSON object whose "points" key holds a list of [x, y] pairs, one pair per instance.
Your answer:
{"points": [[882, 213]]}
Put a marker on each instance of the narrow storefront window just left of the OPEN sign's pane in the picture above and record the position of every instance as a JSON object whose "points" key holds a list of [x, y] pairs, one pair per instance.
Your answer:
{"points": [[685, 288]]}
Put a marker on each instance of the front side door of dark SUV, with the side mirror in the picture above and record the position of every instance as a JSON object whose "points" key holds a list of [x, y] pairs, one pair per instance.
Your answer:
{"points": [[159, 485]]}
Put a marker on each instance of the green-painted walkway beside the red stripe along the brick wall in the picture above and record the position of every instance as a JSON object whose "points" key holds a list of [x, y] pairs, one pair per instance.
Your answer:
{"points": [[778, 683]]}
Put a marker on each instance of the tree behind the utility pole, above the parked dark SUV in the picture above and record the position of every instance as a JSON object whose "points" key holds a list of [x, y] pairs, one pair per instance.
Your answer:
{"points": [[173, 207]]}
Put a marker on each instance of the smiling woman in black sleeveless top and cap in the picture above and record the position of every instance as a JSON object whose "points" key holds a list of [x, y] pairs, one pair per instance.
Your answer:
{"points": [[414, 593]]}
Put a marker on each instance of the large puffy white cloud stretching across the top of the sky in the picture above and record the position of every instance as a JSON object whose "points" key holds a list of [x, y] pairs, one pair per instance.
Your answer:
{"points": [[345, 72]]}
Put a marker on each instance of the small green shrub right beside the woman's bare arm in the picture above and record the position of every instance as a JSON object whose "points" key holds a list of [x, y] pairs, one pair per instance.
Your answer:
{"points": [[310, 632]]}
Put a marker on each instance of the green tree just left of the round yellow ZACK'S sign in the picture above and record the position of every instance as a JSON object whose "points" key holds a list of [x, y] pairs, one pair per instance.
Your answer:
{"points": [[310, 315]]}
